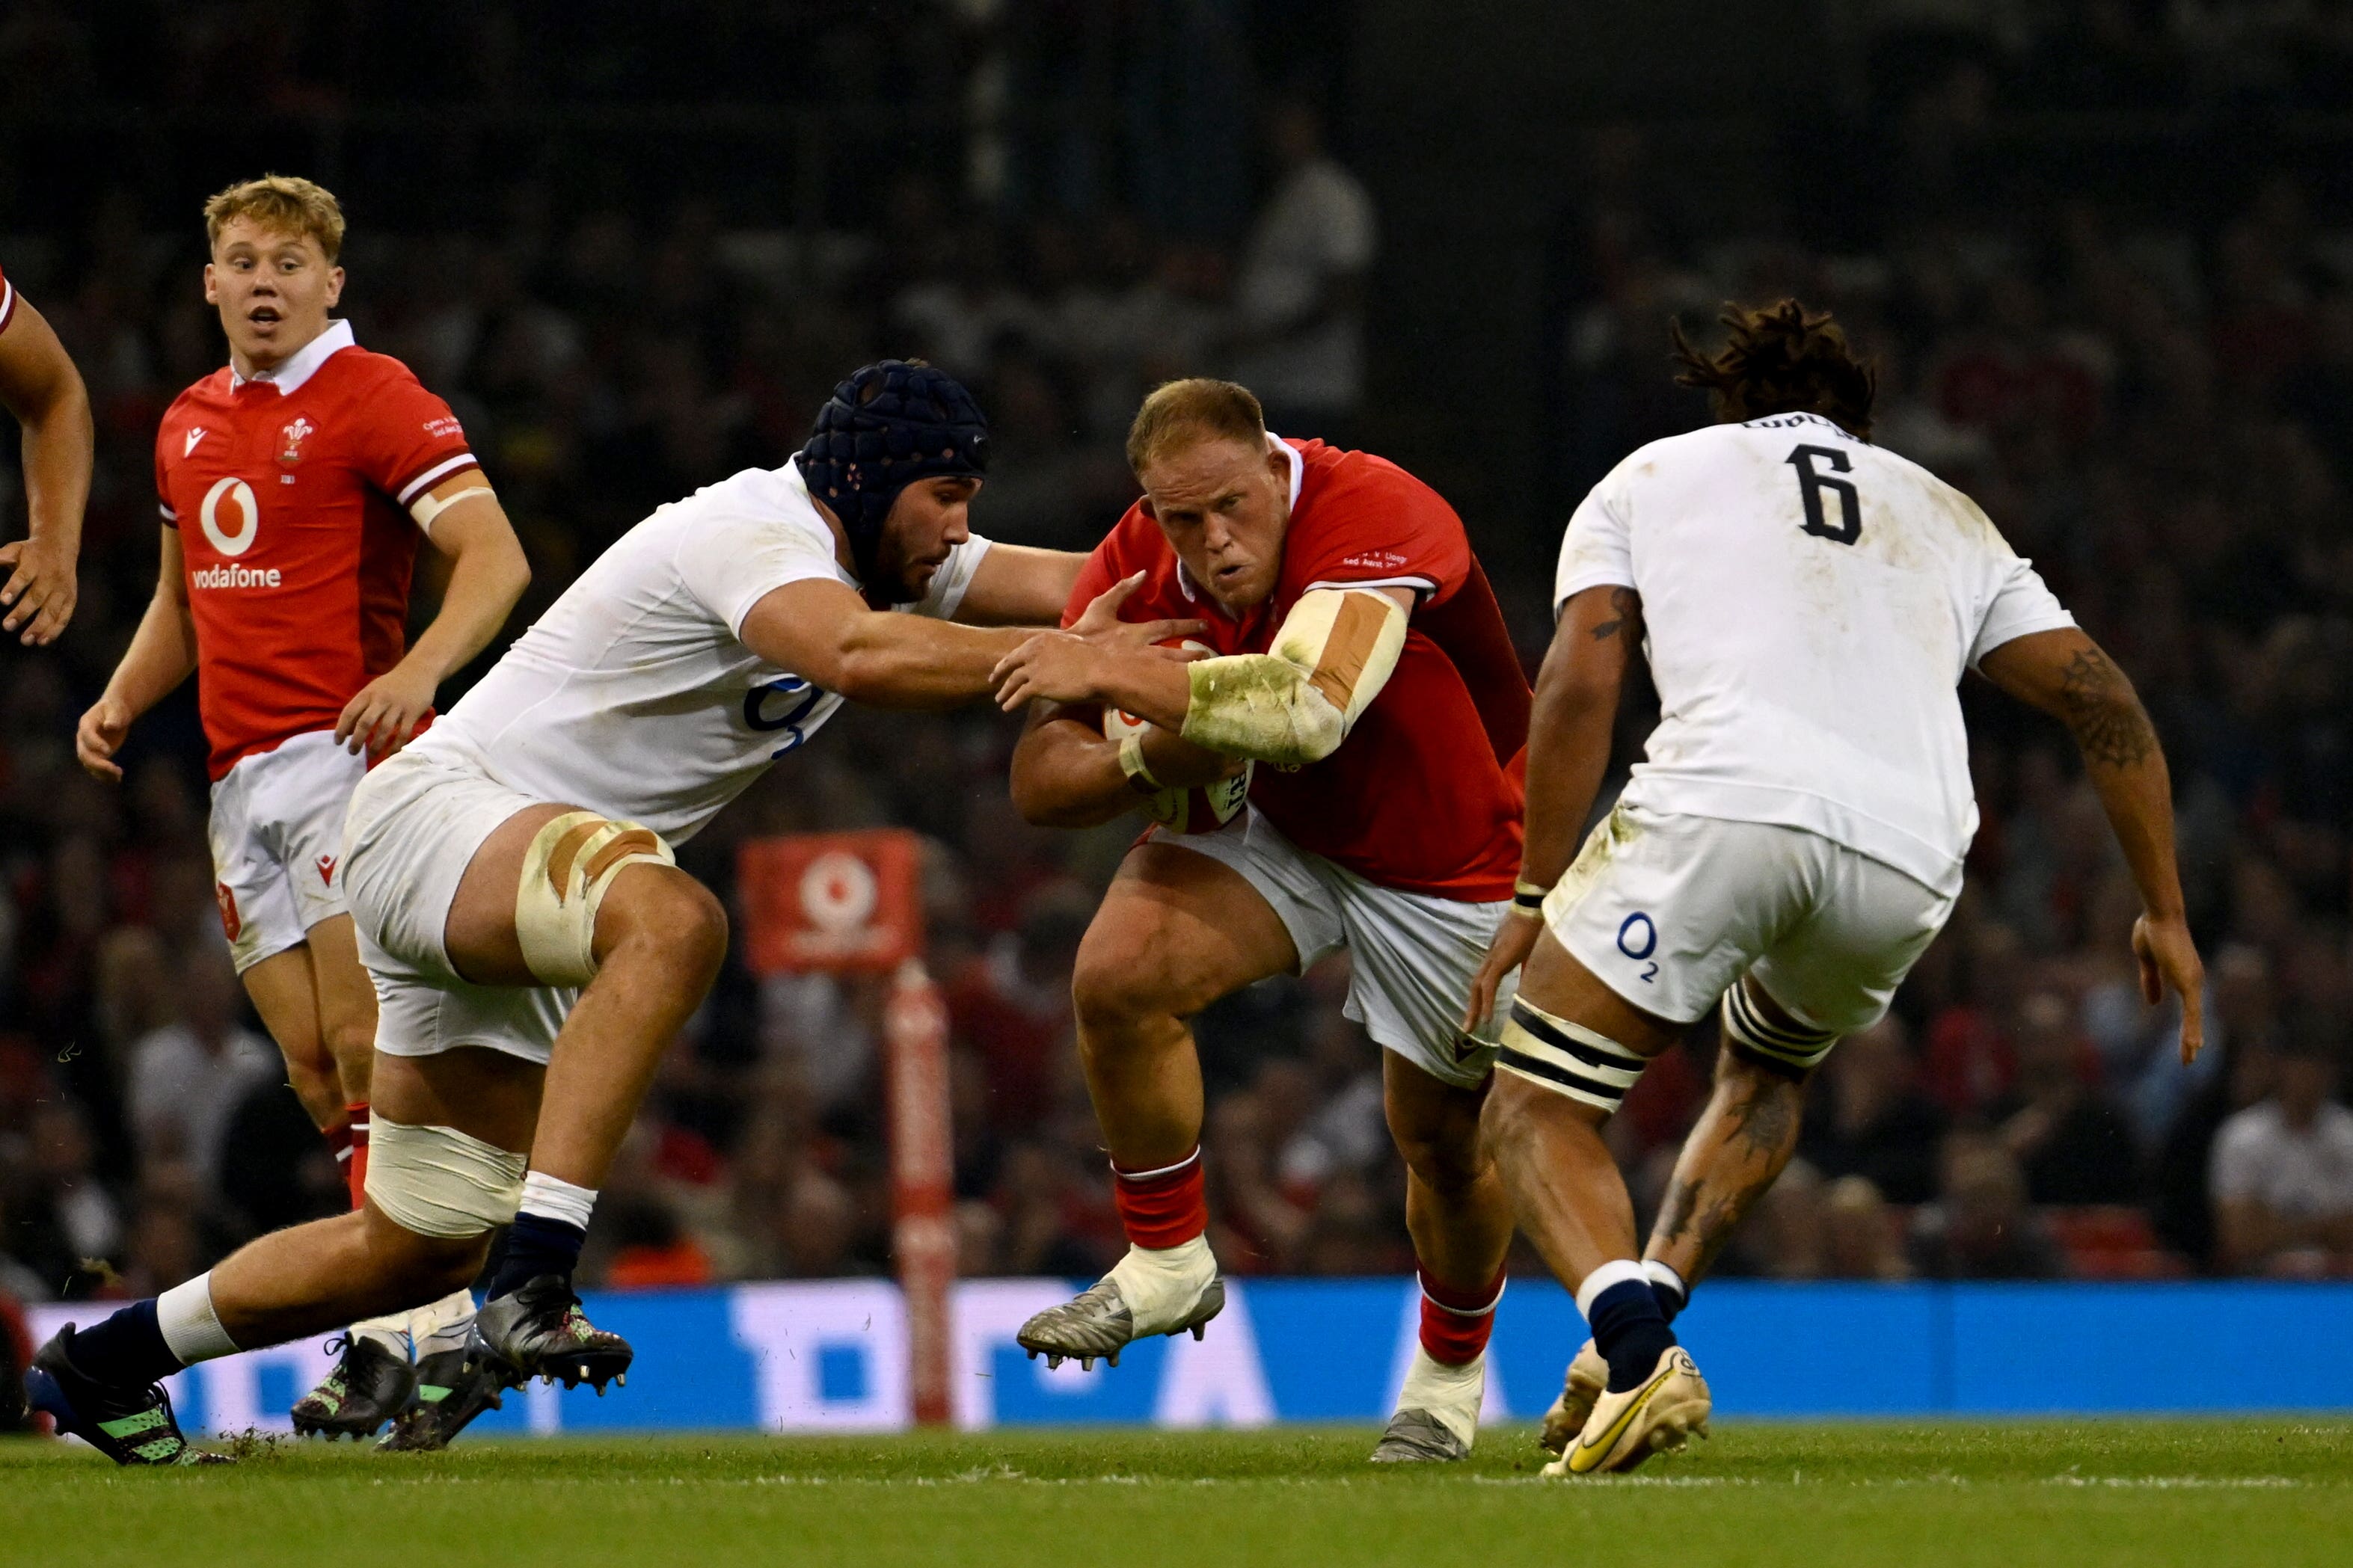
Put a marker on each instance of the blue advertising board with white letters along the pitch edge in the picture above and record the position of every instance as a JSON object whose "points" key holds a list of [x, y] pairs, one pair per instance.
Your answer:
{"points": [[832, 1355]]}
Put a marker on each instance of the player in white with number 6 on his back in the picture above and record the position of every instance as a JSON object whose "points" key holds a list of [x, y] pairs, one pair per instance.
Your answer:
{"points": [[1794, 838]]}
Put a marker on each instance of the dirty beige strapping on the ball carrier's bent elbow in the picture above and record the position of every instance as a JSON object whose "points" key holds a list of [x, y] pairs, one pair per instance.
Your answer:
{"points": [[1298, 702]]}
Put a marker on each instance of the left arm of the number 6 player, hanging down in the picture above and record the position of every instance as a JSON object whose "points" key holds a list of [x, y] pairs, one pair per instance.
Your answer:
{"points": [[1568, 751]]}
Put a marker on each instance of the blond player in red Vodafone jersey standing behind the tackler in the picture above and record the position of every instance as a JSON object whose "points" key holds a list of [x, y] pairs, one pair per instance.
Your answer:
{"points": [[295, 488]]}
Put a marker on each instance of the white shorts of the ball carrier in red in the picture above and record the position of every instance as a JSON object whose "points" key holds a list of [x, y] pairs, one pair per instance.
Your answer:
{"points": [[1413, 956]]}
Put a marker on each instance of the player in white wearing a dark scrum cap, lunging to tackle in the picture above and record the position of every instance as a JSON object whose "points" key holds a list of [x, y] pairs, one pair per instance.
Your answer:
{"points": [[533, 944]]}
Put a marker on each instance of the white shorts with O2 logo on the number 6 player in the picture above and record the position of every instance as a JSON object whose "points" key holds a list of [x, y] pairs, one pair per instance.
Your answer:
{"points": [[1669, 911]]}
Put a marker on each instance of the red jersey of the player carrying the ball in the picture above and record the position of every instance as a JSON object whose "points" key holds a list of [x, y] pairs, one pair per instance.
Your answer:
{"points": [[1425, 793]]}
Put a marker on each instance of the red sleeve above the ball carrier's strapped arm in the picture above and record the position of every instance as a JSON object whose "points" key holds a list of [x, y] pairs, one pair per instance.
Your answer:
{"points": [[1378, 528]]}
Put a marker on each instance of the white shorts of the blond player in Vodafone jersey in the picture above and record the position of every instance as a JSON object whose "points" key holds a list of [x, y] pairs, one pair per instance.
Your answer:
{"points": [[276, 843]]}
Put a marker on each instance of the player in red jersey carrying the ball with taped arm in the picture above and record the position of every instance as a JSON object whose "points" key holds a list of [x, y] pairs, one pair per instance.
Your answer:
{"points": [[1361, 666]]}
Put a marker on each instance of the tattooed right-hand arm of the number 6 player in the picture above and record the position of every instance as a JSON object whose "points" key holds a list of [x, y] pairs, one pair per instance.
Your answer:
{"points": [[2069, 678]]}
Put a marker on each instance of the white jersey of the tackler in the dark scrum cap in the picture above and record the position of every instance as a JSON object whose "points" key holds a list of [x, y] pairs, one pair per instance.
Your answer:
{"points": [[634, 695]]}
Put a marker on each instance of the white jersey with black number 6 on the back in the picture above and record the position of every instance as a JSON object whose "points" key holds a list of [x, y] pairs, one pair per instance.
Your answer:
{"points": [[1808, 603]]}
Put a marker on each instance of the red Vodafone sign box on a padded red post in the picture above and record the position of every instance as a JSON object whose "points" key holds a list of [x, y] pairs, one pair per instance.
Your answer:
{"points": [[853, 904]]}
